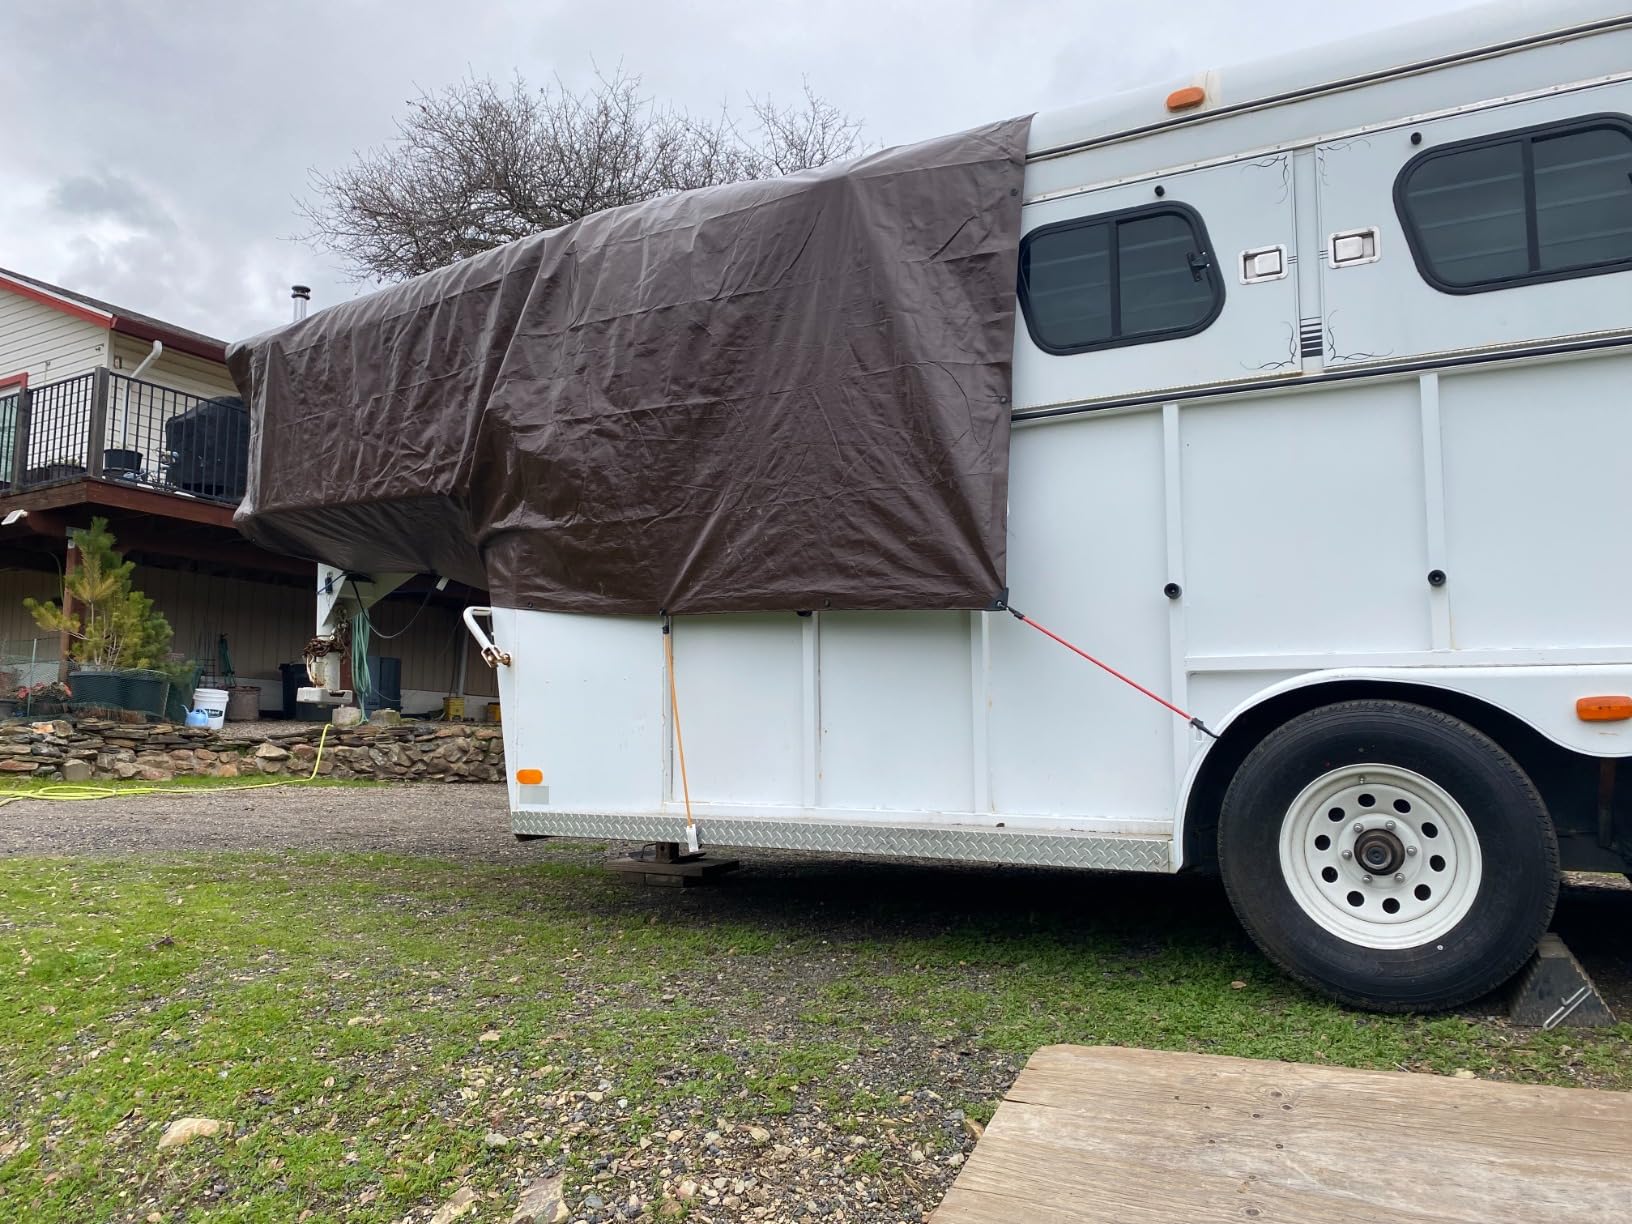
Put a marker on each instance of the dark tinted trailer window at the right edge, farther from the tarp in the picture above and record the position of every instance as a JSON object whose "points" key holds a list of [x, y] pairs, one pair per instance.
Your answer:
{"points": [[1538, 205]]}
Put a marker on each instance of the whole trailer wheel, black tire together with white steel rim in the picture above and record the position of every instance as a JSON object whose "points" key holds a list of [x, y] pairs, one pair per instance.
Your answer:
{"points": [[1390, 856]]}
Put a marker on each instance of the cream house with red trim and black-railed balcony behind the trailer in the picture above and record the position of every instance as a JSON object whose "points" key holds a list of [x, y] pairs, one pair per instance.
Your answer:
{"points": [[115, 414]]}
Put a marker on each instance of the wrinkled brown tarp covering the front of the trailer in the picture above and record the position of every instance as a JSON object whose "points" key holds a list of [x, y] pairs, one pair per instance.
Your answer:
{"points": [[787, 394]]}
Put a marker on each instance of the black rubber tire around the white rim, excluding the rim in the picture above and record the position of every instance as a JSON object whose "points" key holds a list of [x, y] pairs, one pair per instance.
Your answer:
{"points": [[1517, 843]]}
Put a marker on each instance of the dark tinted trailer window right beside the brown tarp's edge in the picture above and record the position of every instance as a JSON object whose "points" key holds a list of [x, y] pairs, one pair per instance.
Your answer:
{"points": [[1124, 278]]}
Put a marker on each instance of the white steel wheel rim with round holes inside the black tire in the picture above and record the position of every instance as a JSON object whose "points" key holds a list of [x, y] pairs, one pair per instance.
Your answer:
{"points": [[1381, 856]]}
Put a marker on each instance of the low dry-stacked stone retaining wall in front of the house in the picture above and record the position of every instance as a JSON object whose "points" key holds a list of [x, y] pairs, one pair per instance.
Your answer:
{"points": [[161, 752]]}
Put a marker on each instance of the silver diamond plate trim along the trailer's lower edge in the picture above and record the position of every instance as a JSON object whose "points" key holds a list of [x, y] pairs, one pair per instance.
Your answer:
{"points": [[894, 841]]}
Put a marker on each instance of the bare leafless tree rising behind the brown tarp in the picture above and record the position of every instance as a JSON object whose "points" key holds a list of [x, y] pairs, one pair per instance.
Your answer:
{"points": [[476, 166]]}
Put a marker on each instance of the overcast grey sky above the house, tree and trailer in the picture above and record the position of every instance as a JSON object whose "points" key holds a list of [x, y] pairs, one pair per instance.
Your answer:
{"points": [[151, 149]]}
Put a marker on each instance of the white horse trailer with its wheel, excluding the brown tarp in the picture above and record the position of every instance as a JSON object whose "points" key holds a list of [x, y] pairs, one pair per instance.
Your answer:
{"points": [[1323, 428]]}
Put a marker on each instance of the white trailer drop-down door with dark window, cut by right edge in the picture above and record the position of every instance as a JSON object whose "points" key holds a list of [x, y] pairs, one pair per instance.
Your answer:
{"points": [[1502, 228]]}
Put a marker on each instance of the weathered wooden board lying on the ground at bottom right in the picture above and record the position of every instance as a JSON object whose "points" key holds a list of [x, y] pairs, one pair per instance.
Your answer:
{"points": [[1135, 1137]]}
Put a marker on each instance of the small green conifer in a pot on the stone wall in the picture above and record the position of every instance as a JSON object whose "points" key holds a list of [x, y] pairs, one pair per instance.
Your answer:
{"points": [[117, 636]]}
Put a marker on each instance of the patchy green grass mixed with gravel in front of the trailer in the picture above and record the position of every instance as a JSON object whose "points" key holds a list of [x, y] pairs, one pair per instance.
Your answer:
{"points": [[365, 1022]]}
